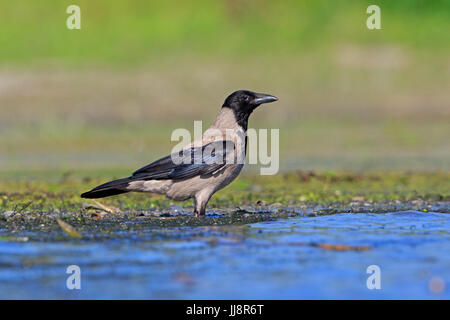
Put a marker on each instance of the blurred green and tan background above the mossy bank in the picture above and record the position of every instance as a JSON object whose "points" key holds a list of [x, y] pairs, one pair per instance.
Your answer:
{"points": [[109, 95]]}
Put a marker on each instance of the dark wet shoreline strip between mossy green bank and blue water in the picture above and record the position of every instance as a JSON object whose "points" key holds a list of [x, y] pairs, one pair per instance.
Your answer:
{"points": [[99, 225]]}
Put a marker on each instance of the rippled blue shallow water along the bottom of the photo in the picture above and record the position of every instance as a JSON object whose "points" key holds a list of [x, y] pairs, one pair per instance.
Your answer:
{"points": [[269, 260]]}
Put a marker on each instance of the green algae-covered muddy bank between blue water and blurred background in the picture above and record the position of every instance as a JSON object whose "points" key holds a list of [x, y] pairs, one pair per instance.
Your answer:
{"points": [[32, 208]]}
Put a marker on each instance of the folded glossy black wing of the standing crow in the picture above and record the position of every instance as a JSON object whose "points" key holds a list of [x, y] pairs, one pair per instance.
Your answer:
{"points": [[189, 163]]}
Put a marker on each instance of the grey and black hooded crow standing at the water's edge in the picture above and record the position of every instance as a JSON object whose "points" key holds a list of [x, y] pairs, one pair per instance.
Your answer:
{"points": [[204, 166]]}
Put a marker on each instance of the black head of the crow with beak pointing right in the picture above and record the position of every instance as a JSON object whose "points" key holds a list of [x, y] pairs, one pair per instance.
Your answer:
{"points": [[243, 102]]}
